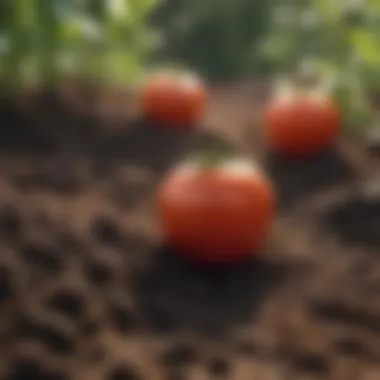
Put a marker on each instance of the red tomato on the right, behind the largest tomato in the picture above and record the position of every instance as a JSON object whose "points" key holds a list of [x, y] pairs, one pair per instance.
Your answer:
{"points": [[301, 125]]}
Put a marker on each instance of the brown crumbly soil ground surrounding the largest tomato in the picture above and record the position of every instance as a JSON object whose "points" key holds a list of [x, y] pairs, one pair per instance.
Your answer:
{"points": [[89, 291]]}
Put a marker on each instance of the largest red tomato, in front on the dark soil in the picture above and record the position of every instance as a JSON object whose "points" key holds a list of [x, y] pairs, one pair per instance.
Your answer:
{"points": [[216, 214]]}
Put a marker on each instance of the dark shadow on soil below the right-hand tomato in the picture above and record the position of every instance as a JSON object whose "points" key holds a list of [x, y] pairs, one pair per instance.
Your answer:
{"points": [[296, 179]]}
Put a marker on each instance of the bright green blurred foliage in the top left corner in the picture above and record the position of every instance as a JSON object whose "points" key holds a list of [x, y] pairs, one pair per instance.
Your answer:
{"points": [[42, 39]]}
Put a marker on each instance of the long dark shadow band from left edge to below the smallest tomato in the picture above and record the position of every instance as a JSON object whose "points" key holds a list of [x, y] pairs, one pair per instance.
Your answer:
{"points": [[52, 130]]}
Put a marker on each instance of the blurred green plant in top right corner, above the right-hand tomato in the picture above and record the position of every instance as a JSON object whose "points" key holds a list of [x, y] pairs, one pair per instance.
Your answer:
{"points": [[339, 42]]}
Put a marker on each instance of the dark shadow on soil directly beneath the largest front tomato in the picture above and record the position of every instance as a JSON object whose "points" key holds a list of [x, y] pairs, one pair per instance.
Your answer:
{"points": [[174, 294]]}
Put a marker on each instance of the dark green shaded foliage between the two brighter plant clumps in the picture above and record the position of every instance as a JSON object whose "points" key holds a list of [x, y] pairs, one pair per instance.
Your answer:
{"points": [[213, 37]]}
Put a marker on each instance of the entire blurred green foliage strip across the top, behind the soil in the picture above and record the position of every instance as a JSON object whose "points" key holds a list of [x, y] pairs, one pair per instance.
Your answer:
{"points": [[223, 40]]}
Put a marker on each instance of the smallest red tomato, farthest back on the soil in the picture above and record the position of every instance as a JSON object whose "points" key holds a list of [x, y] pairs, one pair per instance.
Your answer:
{"points": [[173, 99]]}
